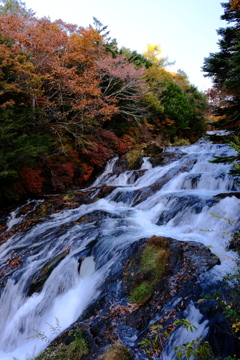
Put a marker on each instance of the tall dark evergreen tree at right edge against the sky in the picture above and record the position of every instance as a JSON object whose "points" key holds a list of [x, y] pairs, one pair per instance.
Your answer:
{"points": [[224, 66]]}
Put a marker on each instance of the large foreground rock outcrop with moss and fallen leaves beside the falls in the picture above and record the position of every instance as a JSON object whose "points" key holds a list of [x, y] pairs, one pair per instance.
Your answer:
{"points": [[153, 283]]}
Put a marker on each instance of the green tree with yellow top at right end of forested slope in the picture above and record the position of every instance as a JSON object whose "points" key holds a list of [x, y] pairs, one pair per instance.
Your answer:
{"points": [[177, 107]]}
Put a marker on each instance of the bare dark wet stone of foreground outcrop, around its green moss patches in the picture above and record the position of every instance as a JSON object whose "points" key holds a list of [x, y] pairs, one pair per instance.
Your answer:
{"points": [[112, 317]]}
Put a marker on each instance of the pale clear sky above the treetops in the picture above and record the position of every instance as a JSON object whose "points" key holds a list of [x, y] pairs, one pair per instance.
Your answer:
{"points": [[184, 29]]}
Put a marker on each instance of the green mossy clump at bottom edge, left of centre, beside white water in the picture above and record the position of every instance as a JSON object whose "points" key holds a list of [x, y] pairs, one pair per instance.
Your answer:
{"points": [[76, 350]]}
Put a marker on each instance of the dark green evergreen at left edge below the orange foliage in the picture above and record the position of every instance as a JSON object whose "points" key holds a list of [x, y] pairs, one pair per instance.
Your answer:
{"points": [[22, 145]]}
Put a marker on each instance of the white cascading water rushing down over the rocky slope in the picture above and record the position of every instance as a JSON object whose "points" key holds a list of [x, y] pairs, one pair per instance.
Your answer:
{"points": [[175, 200]]}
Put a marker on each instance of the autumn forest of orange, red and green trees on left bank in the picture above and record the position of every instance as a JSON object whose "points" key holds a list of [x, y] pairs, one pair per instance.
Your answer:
{"points": [[71, 99]]}
